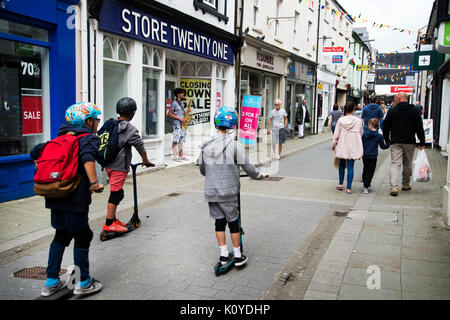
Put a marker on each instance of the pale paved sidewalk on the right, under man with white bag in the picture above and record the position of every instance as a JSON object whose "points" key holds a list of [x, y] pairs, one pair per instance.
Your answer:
{"points": [[389, 248]]}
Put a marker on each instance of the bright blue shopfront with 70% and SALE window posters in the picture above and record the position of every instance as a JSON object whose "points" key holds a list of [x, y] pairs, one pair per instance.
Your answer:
{"points": [[38, 81]]}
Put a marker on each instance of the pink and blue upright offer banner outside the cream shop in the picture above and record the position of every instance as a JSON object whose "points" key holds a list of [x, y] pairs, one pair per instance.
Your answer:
{"points": [[248, 127]]}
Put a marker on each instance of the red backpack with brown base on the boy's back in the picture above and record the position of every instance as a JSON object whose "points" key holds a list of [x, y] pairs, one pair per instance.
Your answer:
{"points": [[57, 167]]}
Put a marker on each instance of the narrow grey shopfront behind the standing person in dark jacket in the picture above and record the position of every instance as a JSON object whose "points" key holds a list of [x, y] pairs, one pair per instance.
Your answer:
{"points": [[300, 85]]}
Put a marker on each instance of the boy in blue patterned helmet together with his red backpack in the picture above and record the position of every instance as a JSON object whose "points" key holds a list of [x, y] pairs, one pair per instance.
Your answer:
{"points": [[69, 209]]}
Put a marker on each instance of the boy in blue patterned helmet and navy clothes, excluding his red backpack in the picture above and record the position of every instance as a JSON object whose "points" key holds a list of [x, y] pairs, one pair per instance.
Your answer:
{"points": [[69, 214]]}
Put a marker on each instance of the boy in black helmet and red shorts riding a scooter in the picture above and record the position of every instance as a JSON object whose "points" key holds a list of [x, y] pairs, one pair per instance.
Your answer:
{"points": [[118, 166]]}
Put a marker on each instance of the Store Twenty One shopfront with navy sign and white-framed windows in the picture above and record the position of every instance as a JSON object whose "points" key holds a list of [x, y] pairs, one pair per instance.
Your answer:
{"points": [[146, 56]]}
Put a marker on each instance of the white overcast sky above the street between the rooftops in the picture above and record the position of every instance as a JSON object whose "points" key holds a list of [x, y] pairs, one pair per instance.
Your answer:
{"points": [[403, 14]]}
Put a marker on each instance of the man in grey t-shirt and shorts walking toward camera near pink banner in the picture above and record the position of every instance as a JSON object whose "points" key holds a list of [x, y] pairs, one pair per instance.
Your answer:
{"points": [[278, 121]]}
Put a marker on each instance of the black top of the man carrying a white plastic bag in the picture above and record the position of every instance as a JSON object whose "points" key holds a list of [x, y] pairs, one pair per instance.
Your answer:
{"points": [[401, 125]]}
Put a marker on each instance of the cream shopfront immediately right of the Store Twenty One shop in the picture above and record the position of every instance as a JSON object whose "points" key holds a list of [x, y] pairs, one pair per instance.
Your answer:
{"points": [[263, 71]]}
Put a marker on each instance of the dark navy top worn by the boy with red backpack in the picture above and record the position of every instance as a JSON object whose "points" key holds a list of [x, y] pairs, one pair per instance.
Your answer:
{"points": [[80, 199]]}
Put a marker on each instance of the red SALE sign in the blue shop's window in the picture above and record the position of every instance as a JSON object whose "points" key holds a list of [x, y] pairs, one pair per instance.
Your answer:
{"points": [[31, 115]]}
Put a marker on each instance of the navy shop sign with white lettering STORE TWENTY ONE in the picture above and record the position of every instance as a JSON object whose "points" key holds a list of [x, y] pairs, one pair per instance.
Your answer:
{"points": [[124, 20]]}
